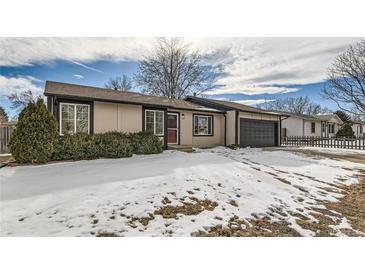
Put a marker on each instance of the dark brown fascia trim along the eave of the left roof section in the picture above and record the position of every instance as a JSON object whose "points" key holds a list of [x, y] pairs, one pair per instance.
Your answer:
{"points": [[126, 102]]}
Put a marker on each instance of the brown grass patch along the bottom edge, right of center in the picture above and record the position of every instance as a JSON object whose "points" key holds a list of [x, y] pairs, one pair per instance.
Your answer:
{"points": [[256, 228]]}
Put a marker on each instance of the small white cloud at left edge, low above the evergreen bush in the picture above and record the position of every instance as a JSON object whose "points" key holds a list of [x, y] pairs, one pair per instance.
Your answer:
{"points": [[9, 85]]}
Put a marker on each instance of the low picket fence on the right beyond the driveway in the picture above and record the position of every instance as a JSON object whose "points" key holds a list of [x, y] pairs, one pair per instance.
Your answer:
{"points": [[311, 141]]}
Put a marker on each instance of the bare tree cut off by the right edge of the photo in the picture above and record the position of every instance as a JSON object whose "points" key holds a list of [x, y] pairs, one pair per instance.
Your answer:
{"points": [[346, 80]]}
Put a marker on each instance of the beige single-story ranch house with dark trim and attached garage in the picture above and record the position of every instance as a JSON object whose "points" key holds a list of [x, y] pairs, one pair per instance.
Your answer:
{"points": [[197, 122]]}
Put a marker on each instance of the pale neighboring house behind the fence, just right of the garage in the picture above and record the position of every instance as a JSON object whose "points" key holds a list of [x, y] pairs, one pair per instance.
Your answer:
{"points": [[311, 125]]}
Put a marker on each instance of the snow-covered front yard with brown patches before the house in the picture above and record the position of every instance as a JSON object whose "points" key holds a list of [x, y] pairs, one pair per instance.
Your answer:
{"points": [[173, 193]]}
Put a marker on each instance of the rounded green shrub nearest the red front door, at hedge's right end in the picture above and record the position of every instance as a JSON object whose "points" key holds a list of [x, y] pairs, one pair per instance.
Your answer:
{"points": [[145, 143]]}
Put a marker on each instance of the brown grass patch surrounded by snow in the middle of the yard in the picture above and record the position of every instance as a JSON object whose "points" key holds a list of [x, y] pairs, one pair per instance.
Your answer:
{"points": [[187, 208]]}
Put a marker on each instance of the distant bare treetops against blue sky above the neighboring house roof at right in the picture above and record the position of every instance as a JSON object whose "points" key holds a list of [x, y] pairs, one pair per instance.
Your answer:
{"points": [[298, 105]]}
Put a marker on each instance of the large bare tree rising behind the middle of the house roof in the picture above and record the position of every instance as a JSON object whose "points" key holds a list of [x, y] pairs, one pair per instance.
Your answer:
{"points": [[174, 71]]}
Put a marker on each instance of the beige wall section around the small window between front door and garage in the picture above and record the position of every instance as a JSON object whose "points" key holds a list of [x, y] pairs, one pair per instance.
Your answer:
{"points": [[186, 130]]}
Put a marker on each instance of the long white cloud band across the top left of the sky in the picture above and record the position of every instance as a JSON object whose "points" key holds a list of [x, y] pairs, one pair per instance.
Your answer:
{"points": [[28, 51]]}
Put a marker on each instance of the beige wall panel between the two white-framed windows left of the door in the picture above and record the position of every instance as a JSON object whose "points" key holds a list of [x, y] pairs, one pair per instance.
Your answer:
{"points": [[117, 117]]}
